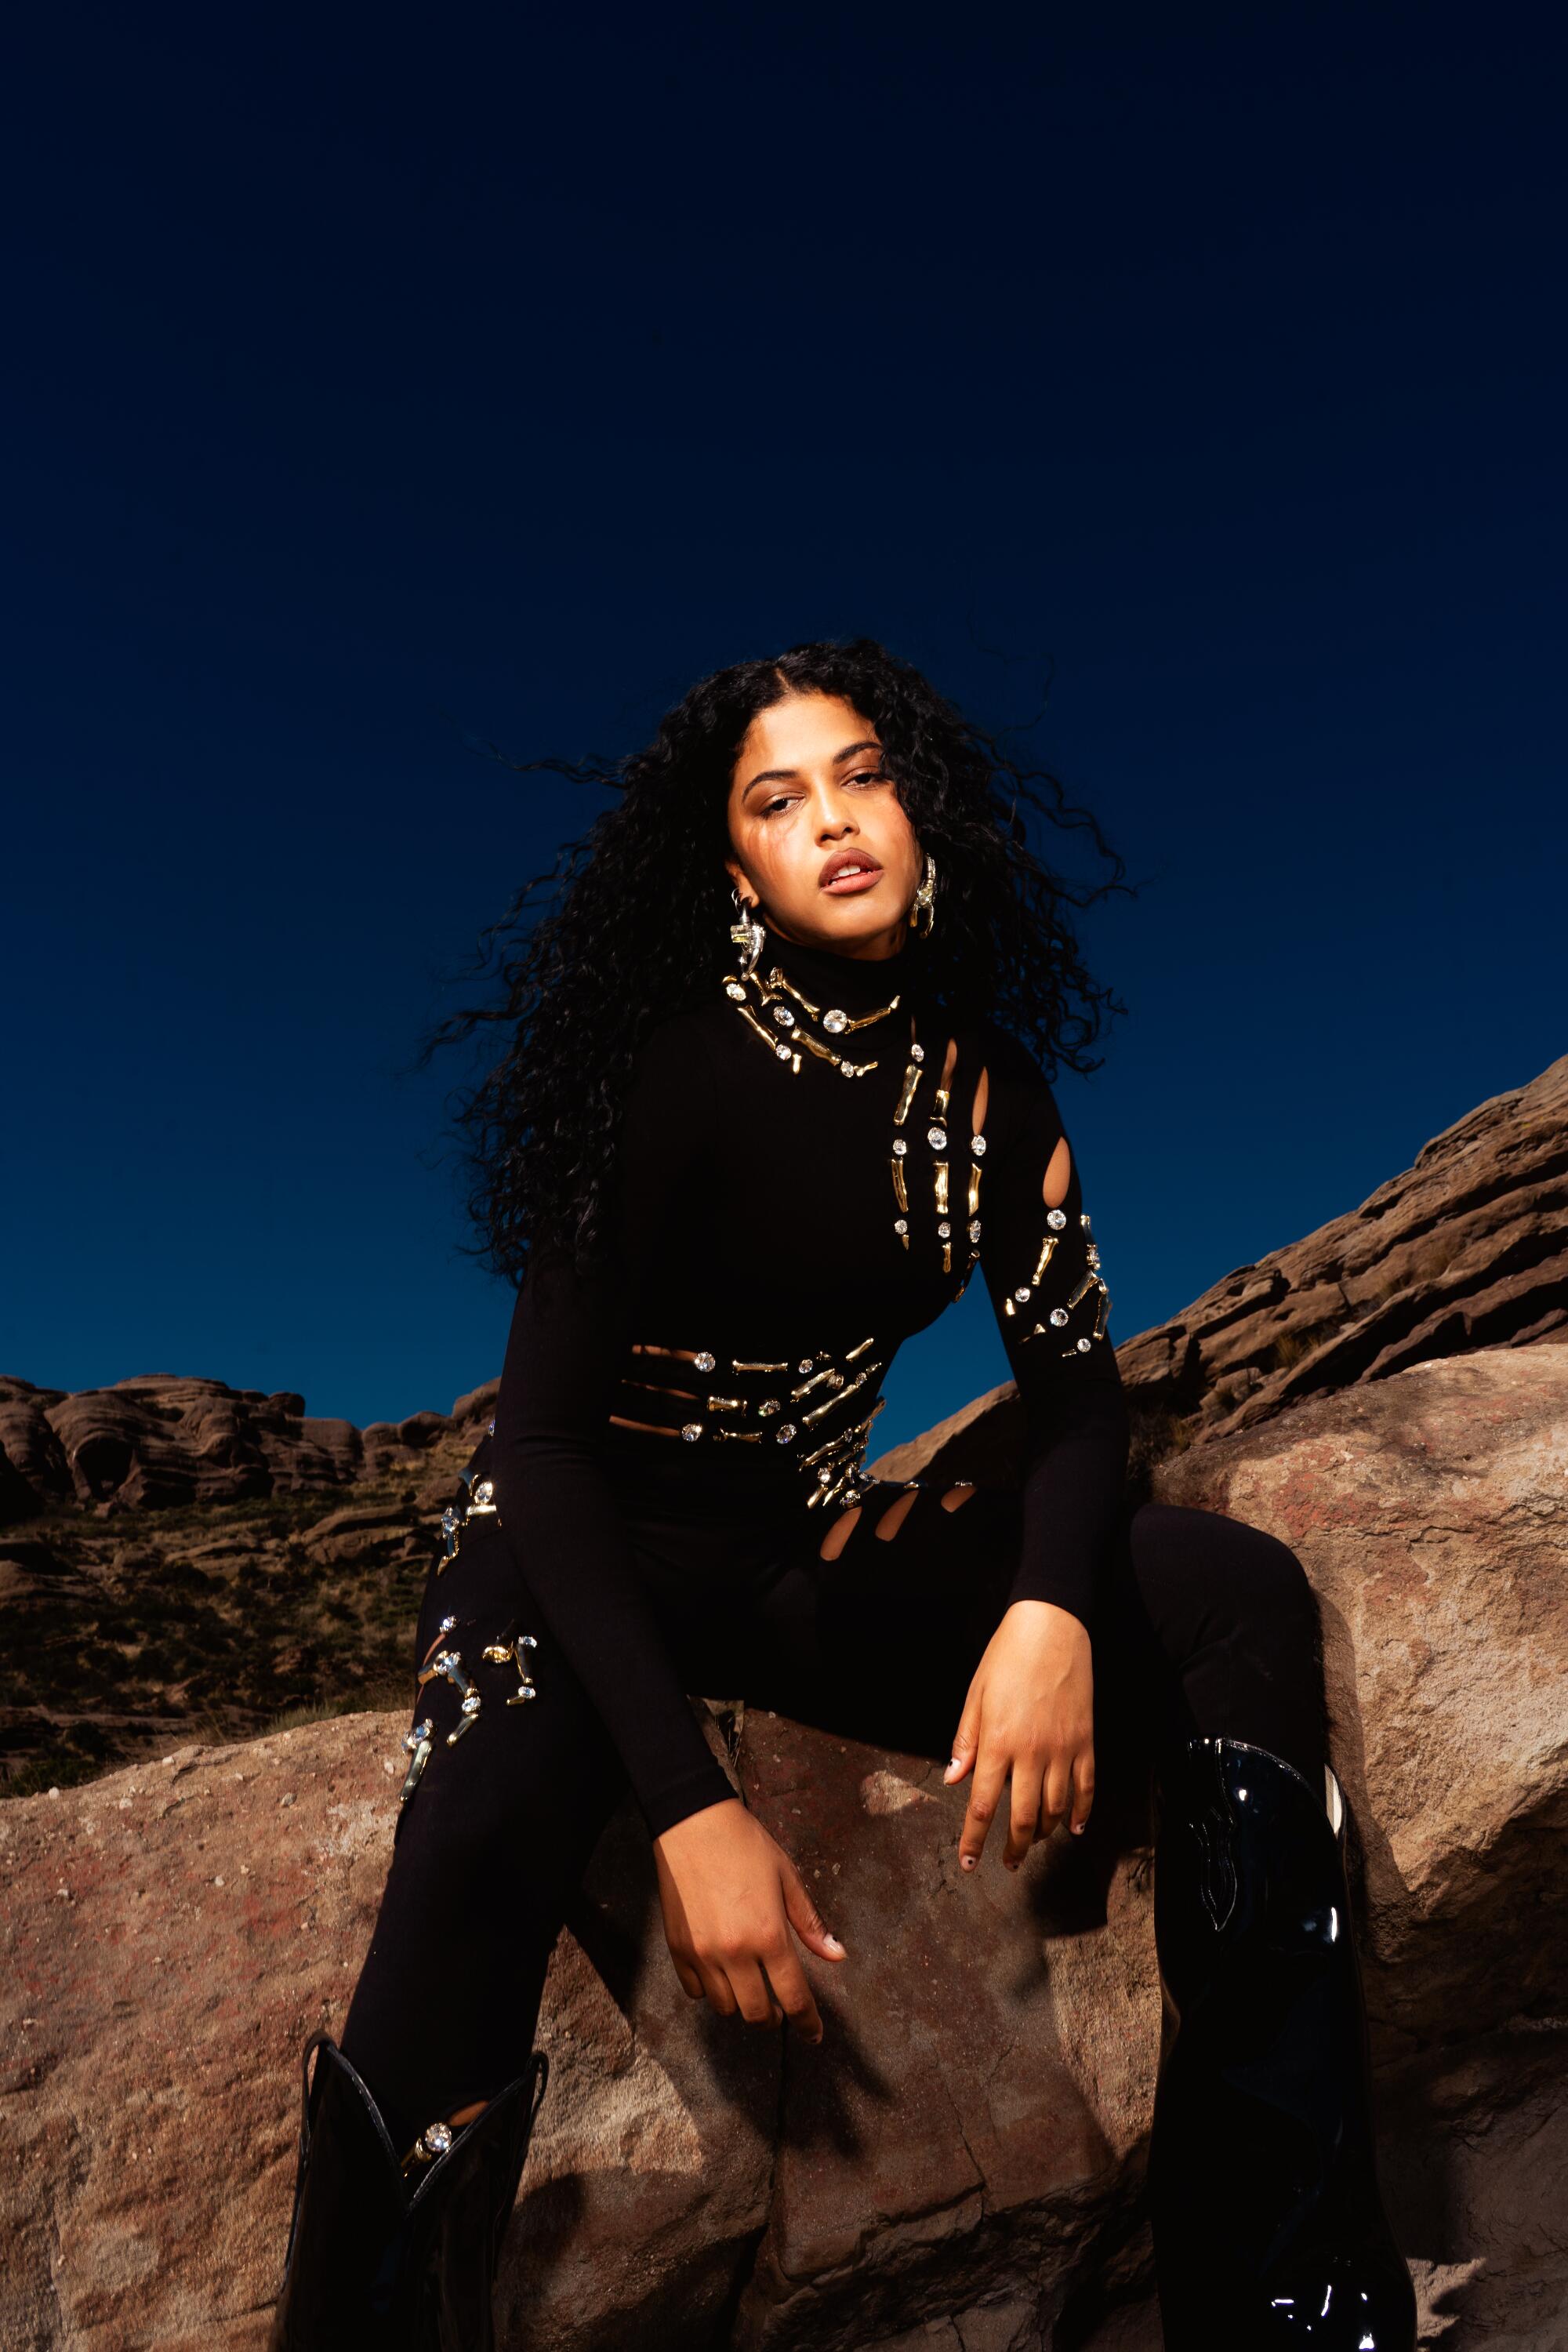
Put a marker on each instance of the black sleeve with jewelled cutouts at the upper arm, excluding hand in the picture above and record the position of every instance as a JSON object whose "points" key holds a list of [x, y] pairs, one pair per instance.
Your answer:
{"points": [[1043, 1271]]}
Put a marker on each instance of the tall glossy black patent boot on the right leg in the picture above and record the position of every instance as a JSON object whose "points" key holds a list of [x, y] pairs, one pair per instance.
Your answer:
{"points": [[1264, 2181]]}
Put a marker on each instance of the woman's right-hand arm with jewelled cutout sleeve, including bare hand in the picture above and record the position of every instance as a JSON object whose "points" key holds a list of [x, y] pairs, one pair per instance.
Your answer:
{"points": [[1028, 1716]]}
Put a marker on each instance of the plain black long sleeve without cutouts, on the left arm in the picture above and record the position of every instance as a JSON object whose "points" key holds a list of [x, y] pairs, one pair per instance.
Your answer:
{"points": [[568, 1347]]}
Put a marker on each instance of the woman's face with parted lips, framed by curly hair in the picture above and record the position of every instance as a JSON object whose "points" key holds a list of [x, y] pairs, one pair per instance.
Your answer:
{"points": [[810, 799]]}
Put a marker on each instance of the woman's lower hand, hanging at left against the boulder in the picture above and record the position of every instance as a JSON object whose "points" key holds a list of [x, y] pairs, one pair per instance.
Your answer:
{"points": [[730, 1897]]}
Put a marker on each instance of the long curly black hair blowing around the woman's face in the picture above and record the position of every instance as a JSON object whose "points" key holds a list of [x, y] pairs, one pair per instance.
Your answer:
{"points": [[645, 907]]}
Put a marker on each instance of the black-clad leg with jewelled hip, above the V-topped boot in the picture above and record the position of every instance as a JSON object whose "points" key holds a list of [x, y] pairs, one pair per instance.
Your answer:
{"points": [[488, 1852]]}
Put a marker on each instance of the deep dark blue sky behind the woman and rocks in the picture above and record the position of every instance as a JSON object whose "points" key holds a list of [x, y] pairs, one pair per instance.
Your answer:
{"points": [[384, 373]]}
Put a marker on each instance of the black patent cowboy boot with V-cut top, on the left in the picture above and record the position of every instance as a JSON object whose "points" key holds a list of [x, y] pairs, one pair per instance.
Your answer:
{"points": [[387, 2259]]}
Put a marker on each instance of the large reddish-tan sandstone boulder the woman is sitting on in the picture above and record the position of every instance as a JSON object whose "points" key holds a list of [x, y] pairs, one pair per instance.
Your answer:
{"points": [[960, 2163]]}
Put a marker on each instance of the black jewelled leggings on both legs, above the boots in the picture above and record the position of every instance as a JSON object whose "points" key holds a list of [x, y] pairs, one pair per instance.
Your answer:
{"points": [[1207, 1629]]}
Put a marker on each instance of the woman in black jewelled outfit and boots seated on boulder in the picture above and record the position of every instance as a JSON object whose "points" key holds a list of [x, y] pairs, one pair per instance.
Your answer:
{"points": [[772, 1097]]}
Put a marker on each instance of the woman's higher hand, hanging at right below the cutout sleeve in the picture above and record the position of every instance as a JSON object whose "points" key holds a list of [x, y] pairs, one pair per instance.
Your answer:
{"points": [[1031, 1716]]}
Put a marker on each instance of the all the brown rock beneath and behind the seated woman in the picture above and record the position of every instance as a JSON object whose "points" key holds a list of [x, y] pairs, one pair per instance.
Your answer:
{"points": [[960, 2163]]}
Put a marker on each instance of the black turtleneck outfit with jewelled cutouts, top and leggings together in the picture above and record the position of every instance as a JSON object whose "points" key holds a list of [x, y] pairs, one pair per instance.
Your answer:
{"points": [[782, 1227]]}
